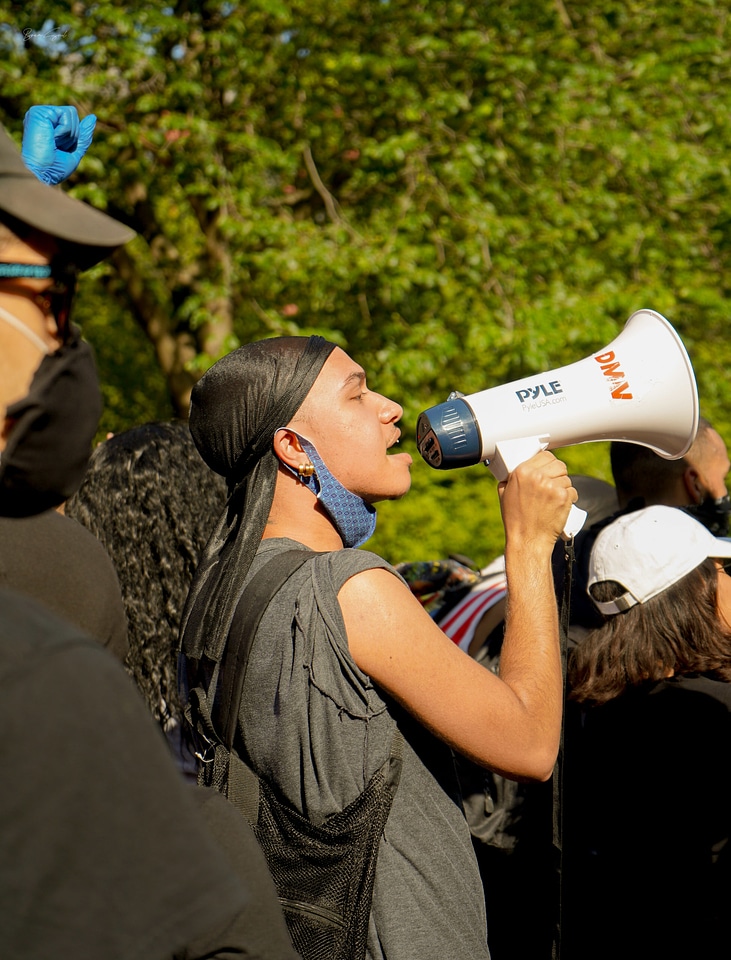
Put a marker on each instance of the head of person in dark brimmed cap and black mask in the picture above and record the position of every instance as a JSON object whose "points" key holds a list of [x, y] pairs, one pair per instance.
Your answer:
{"points": [[50, 402]]}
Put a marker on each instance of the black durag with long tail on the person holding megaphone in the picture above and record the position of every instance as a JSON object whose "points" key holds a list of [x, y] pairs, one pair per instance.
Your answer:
{"points": [[235, 409]]}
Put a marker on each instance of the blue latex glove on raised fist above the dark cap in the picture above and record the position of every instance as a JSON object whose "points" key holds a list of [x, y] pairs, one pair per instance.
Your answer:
{"points": [[54, 141]]}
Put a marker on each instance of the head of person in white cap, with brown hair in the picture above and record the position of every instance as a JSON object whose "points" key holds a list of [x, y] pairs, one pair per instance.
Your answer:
{"points": [[635, 560]]}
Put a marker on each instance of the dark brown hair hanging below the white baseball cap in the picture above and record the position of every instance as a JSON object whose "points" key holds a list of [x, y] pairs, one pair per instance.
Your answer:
{"points": [[679, 631]]}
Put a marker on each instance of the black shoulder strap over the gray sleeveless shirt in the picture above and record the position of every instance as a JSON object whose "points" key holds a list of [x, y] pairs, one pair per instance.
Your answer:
{"points": [[257, 596]]}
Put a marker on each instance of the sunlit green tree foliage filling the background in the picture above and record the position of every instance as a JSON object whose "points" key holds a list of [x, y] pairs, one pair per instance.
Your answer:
{"points": [[458, 194]]}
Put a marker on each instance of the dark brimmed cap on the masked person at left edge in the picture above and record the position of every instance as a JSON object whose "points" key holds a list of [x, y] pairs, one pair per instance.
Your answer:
{"points": [[90, 234]]}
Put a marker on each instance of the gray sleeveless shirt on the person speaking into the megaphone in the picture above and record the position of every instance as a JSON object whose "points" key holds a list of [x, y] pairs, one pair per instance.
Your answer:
{"points": [[316, 726]]}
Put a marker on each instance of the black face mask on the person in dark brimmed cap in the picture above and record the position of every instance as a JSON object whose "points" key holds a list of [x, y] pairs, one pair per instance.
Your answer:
{"points": [[52, 431]]}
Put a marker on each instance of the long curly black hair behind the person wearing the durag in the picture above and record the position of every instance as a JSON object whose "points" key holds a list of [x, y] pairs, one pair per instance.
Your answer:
{"points": [[152, 502]]}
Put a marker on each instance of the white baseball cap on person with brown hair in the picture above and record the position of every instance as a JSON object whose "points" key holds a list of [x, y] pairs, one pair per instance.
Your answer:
{"points": [[648, 551]]}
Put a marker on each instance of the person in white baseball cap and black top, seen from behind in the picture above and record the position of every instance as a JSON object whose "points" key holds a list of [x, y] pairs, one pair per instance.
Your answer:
{"points": [[647, 805]]}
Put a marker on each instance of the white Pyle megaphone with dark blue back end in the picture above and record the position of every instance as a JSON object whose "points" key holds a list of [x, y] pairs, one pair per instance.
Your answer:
{"points": [[640, 388]]}
